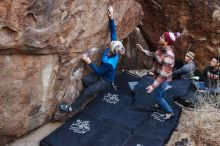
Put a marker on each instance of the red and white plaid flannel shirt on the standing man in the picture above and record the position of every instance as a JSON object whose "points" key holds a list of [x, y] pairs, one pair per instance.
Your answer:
{"points": [[163, 65]]}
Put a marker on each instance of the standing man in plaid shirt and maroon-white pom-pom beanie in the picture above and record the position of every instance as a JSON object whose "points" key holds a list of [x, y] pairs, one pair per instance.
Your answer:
{"points": [[163, 66]]}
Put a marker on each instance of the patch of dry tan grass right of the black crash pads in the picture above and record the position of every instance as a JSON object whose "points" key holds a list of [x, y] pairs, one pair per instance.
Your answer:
{"points": [[202, 124]]}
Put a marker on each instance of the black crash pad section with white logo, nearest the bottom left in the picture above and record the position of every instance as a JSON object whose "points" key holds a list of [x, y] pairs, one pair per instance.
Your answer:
{"points": [[77, 131]]}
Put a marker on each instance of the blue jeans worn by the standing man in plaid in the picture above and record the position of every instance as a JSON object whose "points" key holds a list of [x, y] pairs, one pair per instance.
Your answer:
{"points": [[159, 96]]}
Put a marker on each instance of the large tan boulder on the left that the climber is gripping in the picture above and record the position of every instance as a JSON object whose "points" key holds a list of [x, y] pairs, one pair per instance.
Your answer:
{"points": [[41, 42]]}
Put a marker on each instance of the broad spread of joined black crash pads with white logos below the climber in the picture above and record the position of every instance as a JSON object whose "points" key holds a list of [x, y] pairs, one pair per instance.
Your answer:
{"points": [[103, 123]]}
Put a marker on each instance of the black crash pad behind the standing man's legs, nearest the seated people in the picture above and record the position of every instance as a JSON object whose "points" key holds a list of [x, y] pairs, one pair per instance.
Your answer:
{"points": [[182, 89]]}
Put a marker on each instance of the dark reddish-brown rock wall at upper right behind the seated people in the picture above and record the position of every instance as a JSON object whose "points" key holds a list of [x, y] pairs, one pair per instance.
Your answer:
{"points": [[199, 21]]}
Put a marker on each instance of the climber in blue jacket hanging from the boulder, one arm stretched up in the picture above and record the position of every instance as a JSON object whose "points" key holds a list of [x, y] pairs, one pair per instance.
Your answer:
{"points": [[103, 75]]}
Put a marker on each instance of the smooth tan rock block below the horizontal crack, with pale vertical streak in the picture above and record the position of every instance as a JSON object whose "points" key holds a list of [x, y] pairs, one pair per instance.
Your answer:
{"points": [[27, 97]]}
